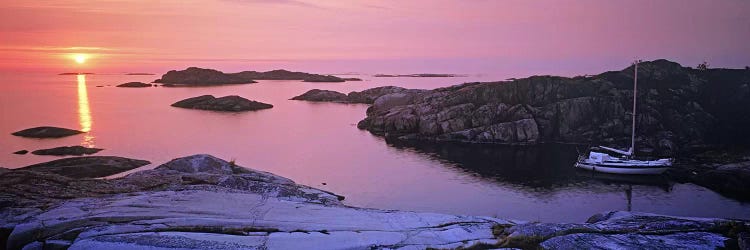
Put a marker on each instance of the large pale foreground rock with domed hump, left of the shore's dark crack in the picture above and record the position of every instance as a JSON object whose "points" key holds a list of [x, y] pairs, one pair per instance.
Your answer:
{"points": [[201, 202]]}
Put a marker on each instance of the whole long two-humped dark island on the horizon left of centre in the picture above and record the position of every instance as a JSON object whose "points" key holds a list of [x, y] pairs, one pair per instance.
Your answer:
{"points": [[197, 76]]}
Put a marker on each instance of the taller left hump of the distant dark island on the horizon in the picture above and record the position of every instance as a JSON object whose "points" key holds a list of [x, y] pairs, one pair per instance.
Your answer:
{"points": [[199, 76]]}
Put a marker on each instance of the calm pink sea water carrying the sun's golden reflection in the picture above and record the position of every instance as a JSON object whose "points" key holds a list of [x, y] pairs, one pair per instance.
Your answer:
{"points": [[313, 143]]}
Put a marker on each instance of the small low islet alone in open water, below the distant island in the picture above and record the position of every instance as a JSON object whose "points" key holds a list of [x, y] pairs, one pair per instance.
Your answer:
{"points": [[227, 103]]}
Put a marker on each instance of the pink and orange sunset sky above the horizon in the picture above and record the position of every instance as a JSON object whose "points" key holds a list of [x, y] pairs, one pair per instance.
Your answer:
{"points": [[507, 37]]}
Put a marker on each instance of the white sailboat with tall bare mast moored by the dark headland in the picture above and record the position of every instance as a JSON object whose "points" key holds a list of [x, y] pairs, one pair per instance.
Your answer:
{"points": [[615, 161]]}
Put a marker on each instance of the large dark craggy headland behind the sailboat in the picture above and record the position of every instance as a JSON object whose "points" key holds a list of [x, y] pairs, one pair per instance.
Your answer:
{"points": [[679, 109]]}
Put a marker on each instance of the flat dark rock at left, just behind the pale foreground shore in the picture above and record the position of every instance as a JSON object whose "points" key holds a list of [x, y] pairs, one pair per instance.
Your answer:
{"points": [[88, 166]]}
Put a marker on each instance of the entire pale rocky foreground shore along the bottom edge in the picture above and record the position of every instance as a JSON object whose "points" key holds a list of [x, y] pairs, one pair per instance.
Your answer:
{"points": [[200, 202]]}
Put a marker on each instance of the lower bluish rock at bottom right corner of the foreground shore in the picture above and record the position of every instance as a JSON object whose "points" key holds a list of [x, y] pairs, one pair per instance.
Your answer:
{"points": [[625, 230]]}
